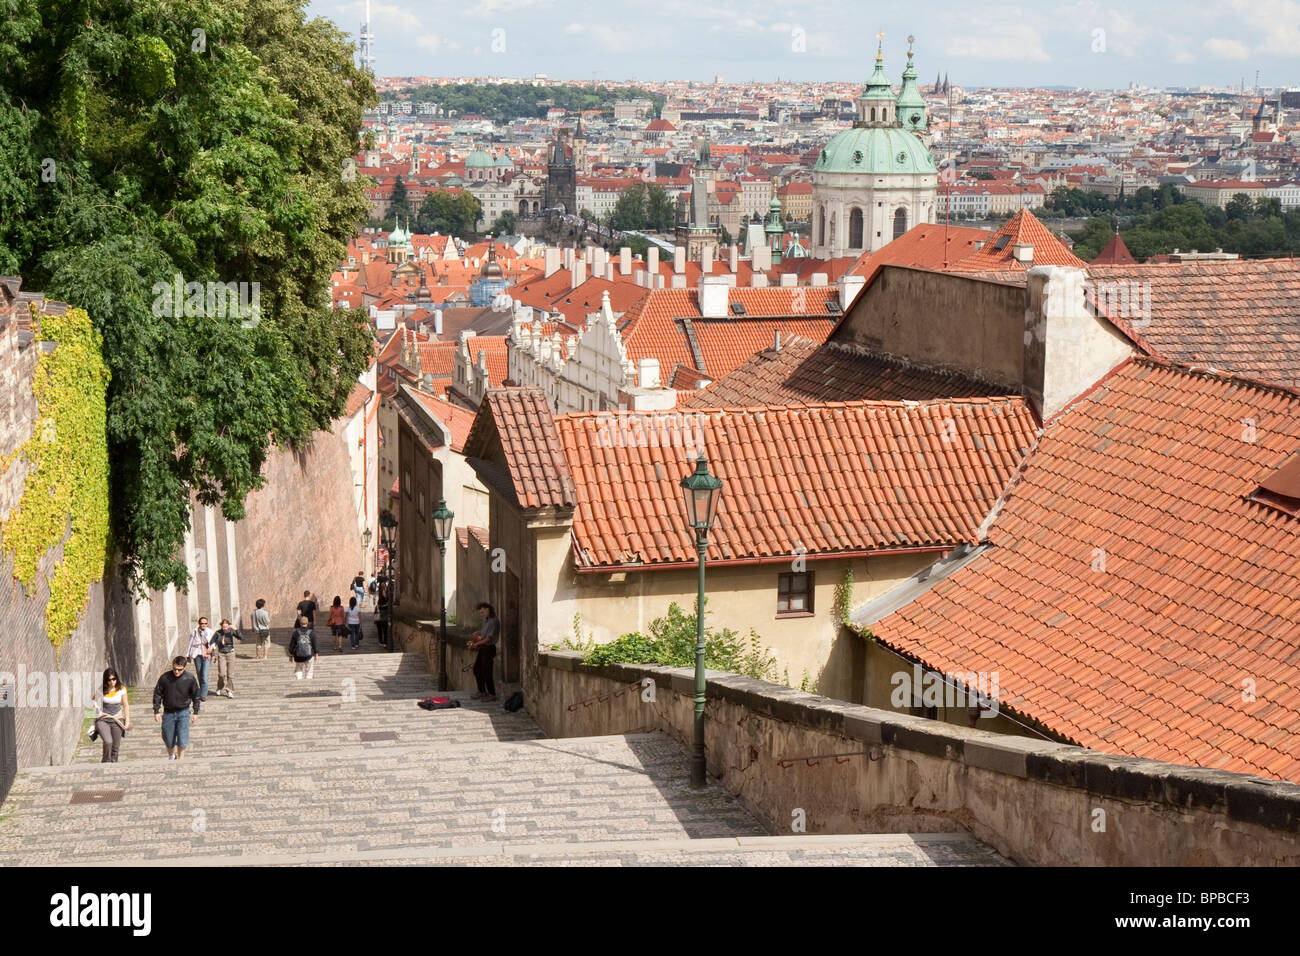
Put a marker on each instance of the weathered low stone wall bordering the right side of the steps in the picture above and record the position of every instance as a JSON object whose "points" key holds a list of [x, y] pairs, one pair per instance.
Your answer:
{"points": [[847, 768]]}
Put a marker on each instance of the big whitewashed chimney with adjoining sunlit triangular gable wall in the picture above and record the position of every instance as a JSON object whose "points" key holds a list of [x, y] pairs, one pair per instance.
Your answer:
{"points": [[1068, 348]]}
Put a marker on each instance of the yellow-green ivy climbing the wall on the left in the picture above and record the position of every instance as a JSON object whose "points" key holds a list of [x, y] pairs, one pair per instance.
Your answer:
{"points": [[67, 488]]}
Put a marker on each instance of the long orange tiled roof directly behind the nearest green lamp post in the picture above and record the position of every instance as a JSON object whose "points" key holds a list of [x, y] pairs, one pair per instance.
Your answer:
{"points": [[839, 478]]}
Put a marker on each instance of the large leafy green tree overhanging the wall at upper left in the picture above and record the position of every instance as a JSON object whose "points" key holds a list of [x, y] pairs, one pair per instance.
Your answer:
{"points": [[215, 165]]}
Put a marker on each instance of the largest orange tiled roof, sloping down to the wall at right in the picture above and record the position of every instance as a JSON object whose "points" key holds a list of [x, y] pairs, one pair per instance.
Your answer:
{"points": [[1201, 586]]}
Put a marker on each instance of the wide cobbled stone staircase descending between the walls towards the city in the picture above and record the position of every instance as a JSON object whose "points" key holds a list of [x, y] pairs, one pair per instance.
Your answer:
{"points": [[346, 769]]}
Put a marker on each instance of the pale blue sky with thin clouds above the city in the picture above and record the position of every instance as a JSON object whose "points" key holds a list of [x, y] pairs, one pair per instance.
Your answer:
{"points": [[1043, 44]]}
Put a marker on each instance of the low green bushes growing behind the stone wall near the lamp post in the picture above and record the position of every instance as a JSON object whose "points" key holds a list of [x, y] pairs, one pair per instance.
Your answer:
{"points": [[673, 643]]}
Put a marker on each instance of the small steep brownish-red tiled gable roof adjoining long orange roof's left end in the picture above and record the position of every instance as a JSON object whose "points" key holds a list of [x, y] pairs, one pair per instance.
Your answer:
{"points": [[535, 460]]}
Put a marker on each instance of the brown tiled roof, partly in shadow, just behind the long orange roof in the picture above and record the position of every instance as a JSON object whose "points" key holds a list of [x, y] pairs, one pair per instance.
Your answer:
{"points": [[808, 373]]}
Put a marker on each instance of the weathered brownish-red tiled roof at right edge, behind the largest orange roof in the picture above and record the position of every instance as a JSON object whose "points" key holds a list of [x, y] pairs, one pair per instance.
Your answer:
{"points": [[1237, 317]]}
